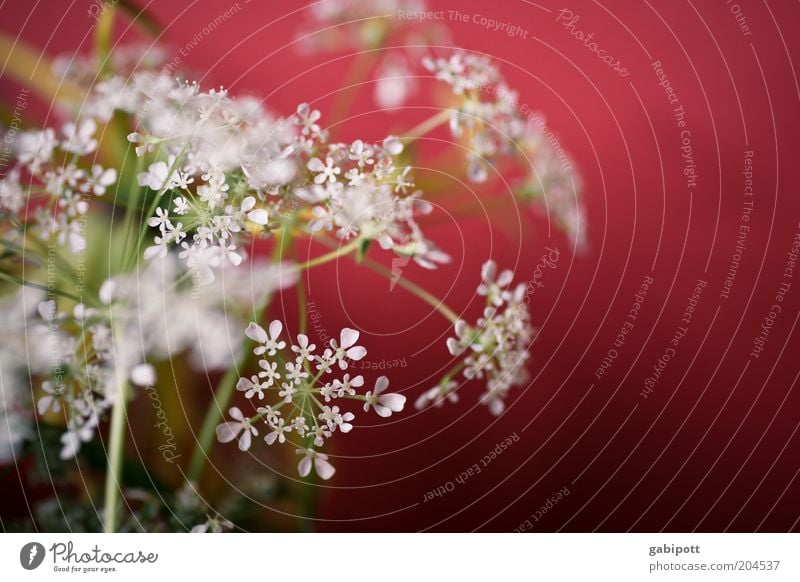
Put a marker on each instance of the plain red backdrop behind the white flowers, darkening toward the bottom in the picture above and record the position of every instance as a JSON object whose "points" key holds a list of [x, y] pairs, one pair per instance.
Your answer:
{"points": [[715, 446]]}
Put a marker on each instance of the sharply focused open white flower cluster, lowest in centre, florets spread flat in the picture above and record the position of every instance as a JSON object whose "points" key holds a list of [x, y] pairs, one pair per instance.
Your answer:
{"points": [[298, 400]]}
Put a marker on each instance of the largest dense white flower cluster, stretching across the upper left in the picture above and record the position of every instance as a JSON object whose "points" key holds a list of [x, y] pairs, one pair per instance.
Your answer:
{"points": [[219, 167]]}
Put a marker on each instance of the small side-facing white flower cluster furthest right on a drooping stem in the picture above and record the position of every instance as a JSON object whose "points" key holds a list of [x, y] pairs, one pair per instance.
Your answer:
{"points": [[495, 349]]}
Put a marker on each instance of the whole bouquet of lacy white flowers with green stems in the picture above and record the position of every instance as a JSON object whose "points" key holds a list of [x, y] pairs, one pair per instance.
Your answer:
{"points": [[189, 203]]}
